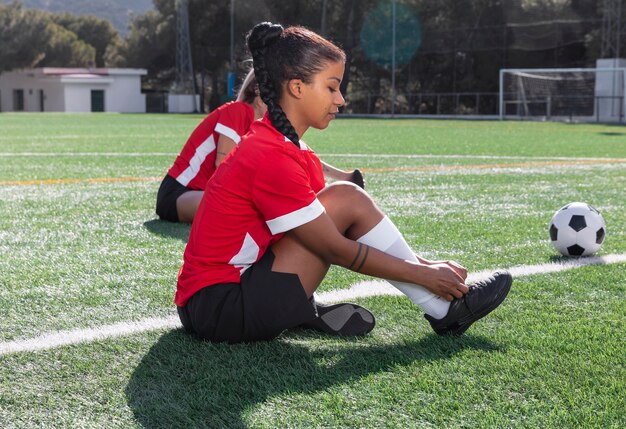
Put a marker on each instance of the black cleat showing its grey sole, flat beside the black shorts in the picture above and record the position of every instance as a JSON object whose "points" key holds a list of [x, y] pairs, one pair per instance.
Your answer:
{"points": [[345, 319]]}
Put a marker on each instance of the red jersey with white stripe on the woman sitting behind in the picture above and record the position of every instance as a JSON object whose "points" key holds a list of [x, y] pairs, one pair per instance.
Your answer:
{"points": [[196, 162]]}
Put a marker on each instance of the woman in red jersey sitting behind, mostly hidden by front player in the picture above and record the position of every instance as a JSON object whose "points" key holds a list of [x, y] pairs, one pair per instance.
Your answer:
{"points": [[181, 189]]}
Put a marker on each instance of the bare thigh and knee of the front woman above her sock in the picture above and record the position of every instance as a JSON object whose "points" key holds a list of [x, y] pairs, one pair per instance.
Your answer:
{"points": [[354, 214]]}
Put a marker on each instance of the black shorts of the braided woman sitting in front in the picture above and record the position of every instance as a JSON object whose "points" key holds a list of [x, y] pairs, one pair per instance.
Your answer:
{"points": [[263, 305]]}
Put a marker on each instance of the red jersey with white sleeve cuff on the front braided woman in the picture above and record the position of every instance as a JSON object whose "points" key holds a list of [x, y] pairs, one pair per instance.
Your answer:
{"points": [[267, 186]]}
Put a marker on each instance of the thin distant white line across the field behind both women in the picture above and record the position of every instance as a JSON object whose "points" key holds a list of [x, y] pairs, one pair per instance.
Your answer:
{"points": [[321, 155]]}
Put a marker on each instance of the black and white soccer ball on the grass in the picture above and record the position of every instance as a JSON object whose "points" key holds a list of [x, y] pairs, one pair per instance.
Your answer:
{"points": [[577, 229]]}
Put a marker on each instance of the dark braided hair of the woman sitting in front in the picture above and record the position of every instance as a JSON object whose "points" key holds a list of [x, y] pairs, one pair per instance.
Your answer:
{"points": [[279, 55]]}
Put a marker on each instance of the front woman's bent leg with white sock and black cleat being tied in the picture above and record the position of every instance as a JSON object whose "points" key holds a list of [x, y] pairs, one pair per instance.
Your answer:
{"points": [[356, 216]]}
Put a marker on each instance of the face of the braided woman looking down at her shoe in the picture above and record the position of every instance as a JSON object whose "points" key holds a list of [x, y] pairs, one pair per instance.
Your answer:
{"points": [[322, 97]]}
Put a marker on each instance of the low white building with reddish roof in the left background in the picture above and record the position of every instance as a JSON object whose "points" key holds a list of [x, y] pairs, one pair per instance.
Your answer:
{"points": [[50, 89]]}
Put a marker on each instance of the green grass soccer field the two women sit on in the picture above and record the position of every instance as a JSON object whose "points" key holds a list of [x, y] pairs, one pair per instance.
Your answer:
{"points": [[81, 248]]}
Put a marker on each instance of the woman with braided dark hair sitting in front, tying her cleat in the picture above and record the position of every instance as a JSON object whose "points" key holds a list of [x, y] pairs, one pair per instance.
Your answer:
{"points": [[268, 228]]}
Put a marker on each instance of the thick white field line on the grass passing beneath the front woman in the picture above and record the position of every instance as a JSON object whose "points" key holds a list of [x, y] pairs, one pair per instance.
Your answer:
{"points": [[359, 290]]}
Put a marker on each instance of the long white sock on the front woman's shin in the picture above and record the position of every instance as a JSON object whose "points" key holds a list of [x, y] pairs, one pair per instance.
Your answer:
{"points": [[387, 238]]}
